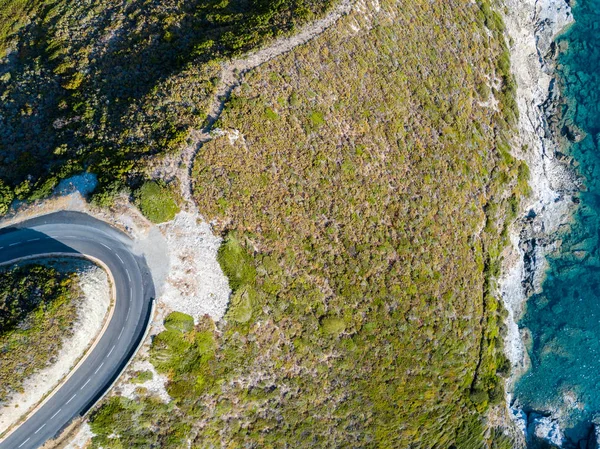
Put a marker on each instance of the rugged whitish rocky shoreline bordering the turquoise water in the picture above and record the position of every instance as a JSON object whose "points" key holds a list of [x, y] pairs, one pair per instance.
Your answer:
{"points": [[532, 26]]}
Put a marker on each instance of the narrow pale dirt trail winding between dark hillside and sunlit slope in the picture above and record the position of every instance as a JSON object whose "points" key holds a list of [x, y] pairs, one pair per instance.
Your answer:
{"points": [[231, 76]]}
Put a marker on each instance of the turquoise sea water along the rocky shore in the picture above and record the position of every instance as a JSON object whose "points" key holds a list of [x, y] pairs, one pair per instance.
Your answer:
{"points": [[564, 319]]}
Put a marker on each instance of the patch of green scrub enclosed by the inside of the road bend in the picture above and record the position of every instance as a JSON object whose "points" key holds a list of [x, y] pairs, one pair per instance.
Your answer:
{"points": [[37, 310]]}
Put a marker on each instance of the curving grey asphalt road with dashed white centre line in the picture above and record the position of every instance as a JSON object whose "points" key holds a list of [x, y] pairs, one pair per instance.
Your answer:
{"points": [[77, 233]]}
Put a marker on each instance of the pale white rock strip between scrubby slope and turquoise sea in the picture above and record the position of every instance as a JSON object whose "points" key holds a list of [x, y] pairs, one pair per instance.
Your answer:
{"points": [[532, 26]]}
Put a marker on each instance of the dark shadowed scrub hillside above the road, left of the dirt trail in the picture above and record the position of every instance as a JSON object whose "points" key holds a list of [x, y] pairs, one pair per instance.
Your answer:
{"points": [[108, 86]]}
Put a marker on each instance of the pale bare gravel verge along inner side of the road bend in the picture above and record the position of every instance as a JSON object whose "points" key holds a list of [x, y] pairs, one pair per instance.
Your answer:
{"points": [[91, 315]]}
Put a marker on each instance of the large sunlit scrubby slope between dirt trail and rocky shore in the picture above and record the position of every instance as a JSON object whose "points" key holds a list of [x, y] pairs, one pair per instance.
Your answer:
{"points": [[365, 204]]}
